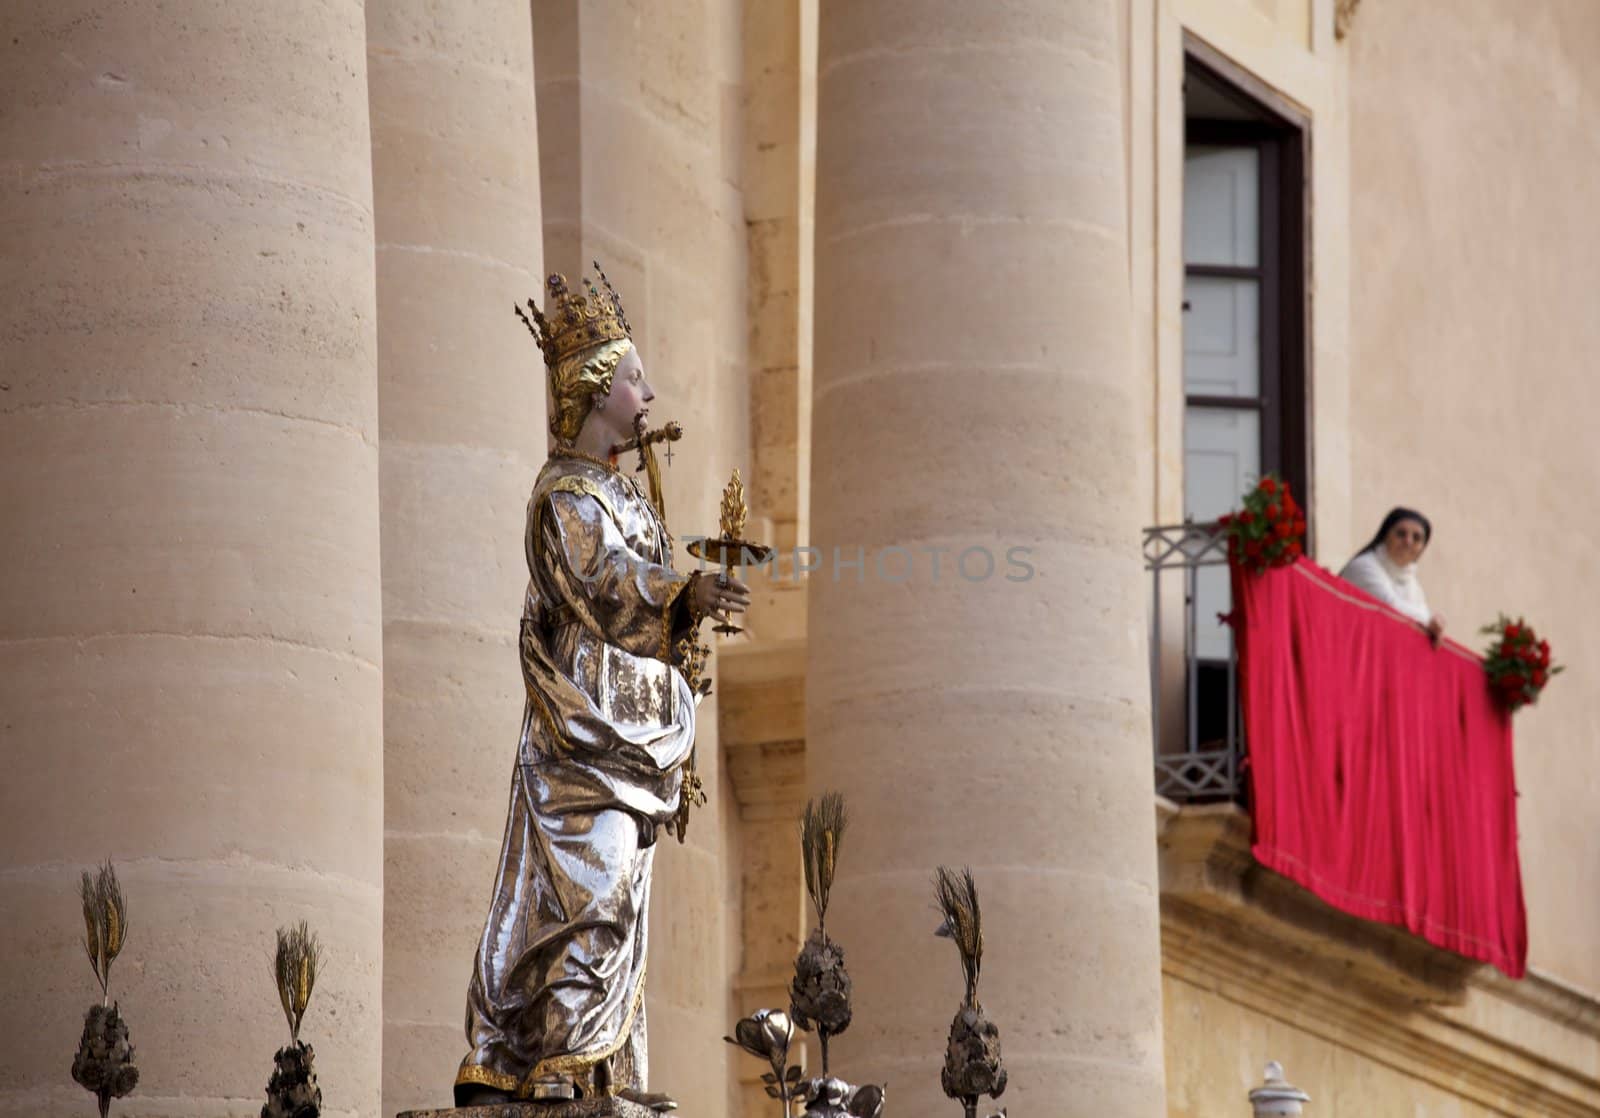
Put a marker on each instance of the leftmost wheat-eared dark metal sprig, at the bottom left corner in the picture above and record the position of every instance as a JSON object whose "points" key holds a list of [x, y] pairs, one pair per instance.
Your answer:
{"points": [[105, 1060]]}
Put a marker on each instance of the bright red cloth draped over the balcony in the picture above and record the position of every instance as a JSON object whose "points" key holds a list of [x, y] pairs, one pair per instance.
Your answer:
{"points": [[1382, 770]]}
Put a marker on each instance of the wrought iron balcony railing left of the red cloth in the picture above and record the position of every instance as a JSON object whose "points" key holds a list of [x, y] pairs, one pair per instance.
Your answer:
{"points": [[1198, 730]]}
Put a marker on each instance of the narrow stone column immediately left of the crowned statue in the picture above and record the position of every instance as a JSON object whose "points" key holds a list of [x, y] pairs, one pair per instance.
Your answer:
{"points": [[462, 417]]}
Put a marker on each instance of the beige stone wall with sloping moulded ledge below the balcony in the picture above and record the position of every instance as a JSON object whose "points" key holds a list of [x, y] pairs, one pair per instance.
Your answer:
{"points": [[1513, 1050]]}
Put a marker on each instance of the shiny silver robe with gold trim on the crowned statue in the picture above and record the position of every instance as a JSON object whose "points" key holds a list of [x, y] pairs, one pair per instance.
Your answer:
{"points": [[559, 981]]}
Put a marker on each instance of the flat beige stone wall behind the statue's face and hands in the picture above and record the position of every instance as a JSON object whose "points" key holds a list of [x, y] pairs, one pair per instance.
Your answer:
{"points": [[639, 162]]}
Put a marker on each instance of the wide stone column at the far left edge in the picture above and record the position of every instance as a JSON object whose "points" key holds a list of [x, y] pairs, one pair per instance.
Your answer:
{"points": [[190, 618]]}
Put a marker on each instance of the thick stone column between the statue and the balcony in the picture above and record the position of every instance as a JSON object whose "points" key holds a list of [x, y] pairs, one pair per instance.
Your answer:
{"points": [[974, 393]]}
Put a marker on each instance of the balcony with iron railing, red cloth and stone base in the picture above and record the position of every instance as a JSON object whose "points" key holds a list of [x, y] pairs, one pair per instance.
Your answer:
{"points": [[1327, 839]]}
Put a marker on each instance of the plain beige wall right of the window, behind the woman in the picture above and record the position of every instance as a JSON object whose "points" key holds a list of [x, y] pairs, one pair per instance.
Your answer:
{"points": [[1474, 393]]}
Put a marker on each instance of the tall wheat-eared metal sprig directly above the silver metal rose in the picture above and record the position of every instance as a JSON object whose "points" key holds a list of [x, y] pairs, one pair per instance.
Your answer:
{"points": [[820, 994]]}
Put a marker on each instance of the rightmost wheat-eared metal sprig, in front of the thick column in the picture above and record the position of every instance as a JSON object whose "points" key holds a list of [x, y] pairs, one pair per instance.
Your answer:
{"points": [[972, 1060]]}
